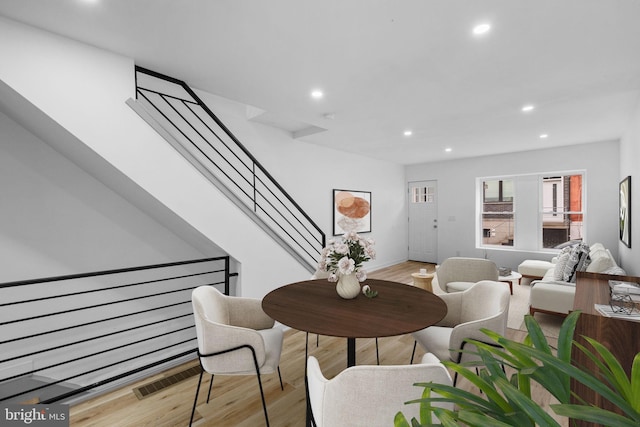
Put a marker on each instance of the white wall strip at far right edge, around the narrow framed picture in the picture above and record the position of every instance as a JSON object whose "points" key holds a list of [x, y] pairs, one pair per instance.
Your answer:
{"points": [[629, 155]]}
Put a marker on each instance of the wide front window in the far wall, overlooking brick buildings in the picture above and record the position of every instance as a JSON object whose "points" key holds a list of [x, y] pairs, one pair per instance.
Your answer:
{"points": [[550, 210]]}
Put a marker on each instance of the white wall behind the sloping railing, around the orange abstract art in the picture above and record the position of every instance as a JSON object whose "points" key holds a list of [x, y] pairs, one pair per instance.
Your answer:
{"points": [[309, 173]]}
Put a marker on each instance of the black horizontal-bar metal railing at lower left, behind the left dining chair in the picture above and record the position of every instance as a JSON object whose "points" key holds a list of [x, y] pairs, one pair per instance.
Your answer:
{"points": [[62, 337]]}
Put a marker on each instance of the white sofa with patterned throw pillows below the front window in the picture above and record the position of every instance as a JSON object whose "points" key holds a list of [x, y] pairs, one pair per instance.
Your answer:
{"points": [[554, 292]]}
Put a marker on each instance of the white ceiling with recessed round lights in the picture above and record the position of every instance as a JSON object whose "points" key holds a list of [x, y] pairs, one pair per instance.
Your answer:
{"points": [[386, 66]]}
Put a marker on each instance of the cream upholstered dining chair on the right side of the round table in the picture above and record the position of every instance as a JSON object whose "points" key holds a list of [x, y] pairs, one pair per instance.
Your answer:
{"points": [[483, 305]]}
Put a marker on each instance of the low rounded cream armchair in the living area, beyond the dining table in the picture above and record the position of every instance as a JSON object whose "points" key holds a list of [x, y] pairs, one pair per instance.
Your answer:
{"points": [[459, 273]]}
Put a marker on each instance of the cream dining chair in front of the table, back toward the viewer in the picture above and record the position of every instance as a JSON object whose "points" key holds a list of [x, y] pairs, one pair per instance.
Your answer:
{"points": [[371, 395]]}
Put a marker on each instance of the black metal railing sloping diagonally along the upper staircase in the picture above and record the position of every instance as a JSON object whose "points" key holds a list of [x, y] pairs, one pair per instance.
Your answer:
{"points": [[201, 137]]}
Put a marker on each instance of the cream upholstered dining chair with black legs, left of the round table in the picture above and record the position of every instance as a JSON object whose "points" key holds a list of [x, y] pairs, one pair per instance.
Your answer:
{"points": [[235, 337]]}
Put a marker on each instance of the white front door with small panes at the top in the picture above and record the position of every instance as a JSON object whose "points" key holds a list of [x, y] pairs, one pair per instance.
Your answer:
{"points": [[423, 221]]}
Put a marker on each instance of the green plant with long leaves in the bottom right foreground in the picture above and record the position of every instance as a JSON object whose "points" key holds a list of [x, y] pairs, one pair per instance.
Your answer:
{"points": [[506, 400]]}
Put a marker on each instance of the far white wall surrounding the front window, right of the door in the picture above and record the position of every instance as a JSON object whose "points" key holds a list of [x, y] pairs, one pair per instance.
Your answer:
{"points": [[457, 195]]}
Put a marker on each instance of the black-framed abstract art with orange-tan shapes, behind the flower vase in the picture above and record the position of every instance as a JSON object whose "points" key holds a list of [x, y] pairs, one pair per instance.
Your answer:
{"points": [[351, 211]]}
